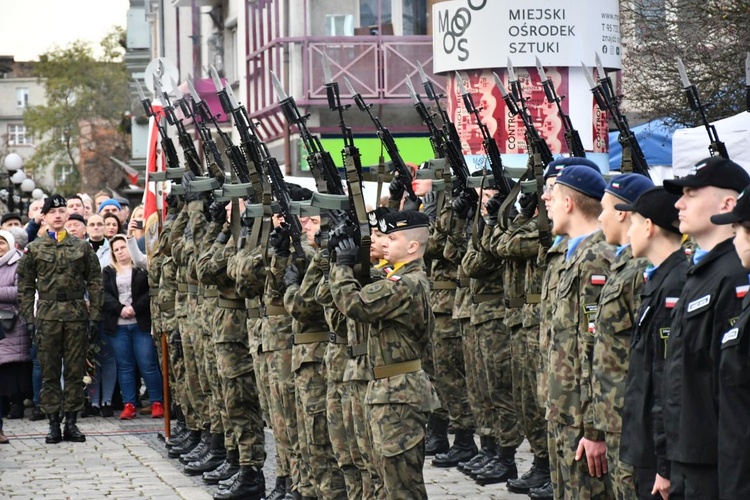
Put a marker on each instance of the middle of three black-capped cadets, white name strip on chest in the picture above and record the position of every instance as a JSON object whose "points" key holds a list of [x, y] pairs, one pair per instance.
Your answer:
{"points": [[706, 310]]}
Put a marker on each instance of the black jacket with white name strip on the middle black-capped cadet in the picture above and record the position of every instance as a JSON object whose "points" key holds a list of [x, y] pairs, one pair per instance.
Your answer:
{"points": [[707, 308]]}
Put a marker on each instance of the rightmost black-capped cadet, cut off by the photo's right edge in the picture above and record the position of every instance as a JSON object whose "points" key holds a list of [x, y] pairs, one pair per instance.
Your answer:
{"points": [[734, 371]]}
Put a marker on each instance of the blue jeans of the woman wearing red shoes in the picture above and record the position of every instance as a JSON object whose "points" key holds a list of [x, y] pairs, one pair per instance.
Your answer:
{"points": [[134, 346]]}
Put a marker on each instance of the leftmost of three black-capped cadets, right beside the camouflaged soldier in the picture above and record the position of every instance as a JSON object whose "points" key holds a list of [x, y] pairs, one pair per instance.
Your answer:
{"points": [[653, 234]]}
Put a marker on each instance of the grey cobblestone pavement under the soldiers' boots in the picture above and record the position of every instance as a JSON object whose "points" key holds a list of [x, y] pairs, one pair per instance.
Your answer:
{"points": [[127, 459]]}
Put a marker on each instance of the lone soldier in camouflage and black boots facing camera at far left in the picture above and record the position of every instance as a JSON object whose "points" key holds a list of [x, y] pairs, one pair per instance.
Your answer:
{"points": [[62, 269]]}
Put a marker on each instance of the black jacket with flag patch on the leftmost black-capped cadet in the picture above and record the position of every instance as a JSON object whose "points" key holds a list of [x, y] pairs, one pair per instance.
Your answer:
{"points": [[641, 415]]}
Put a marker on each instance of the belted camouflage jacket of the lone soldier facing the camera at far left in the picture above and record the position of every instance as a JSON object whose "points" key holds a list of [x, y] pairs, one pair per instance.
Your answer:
{"points": [[69, 266]]}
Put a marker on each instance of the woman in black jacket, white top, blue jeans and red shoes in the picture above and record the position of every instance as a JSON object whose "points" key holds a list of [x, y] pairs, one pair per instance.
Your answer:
{"points": [[127, 319]]}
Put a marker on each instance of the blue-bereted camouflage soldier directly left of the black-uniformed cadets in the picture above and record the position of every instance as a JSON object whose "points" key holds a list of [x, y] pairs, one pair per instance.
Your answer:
{"points": [[620, 298]]}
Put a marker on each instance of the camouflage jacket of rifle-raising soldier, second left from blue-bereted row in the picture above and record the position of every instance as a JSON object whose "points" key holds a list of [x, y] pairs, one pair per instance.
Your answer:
{"points": [[486, 273]]}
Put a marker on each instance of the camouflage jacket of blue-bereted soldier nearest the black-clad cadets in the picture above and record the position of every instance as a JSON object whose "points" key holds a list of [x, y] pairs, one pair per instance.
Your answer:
{"points": [[618, 303]]}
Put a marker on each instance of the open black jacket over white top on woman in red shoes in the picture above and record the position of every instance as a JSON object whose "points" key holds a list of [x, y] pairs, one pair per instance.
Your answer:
{"points": [[112, 306]]}
